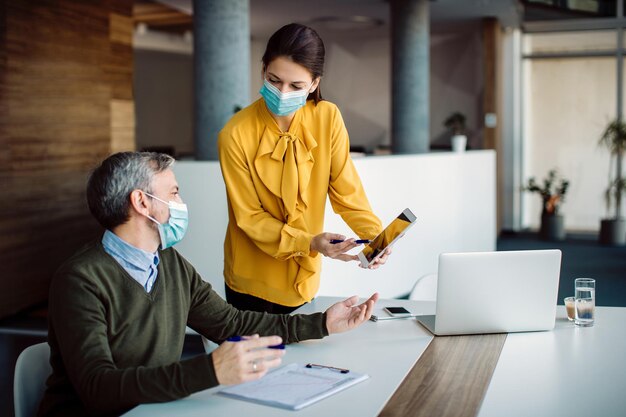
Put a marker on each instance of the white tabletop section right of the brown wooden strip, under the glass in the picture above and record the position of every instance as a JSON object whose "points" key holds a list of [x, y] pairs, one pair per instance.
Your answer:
{"points": [[571, 371]]}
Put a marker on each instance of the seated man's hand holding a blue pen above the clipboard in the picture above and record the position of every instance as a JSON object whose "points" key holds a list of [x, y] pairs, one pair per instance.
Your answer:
{"points": [[247, 360]]}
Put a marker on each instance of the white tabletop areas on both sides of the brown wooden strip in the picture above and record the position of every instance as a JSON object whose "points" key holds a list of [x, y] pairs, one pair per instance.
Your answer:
{"points": [[570, 371]]}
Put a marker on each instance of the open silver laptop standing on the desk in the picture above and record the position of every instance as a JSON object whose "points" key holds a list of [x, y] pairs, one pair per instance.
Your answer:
{"points": [[495, 292]]}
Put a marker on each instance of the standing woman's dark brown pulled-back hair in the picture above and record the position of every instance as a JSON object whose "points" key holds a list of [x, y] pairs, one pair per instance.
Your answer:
{"points": [[303, 46]]}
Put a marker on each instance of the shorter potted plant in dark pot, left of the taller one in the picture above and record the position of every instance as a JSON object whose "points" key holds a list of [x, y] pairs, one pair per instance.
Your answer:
{"points": [[552, 195]]}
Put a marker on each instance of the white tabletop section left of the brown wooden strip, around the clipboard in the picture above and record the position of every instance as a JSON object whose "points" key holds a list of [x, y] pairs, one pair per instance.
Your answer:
{"points": [[385, 350]]}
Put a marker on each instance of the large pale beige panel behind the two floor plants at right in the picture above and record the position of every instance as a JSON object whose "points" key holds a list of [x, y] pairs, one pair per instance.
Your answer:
{"points": [[569, 102]]}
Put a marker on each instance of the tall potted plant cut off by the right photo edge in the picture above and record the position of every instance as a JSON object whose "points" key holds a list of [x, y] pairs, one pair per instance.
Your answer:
{"points": [[613, 229]]}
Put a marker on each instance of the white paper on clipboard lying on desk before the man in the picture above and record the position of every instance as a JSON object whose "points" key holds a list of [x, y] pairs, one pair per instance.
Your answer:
{"points": [[294, 386]]}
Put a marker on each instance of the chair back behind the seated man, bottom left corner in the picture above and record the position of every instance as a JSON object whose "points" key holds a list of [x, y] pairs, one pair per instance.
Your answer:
{"points": [[29, 382]]}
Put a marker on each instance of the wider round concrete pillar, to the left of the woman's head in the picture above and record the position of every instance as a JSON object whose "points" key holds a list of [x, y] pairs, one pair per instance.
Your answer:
{"points": [[221, 68]]}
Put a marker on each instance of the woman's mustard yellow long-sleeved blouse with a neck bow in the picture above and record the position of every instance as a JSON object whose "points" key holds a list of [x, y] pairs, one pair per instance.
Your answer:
{"points": [[277, 183]]}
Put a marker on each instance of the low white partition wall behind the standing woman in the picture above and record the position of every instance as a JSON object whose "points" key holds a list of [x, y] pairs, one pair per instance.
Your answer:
{"points": [[455, 212]]}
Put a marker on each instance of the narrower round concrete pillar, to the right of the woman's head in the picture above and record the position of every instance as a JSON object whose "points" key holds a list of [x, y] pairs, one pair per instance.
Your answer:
{"points": [[410, 103]]}
